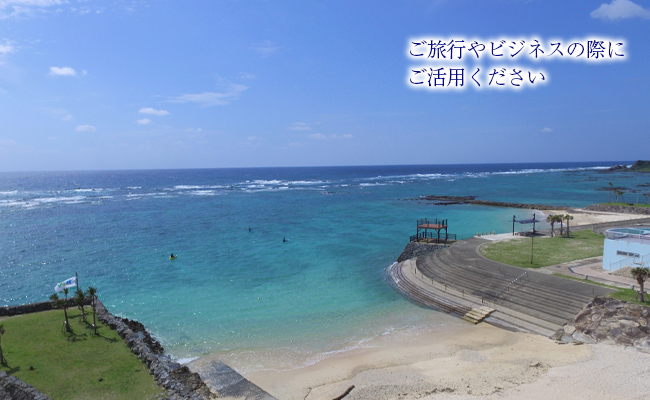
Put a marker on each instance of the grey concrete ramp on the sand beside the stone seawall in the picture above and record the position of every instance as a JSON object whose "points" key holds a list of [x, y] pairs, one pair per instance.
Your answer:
{"points": [[229, 383]]}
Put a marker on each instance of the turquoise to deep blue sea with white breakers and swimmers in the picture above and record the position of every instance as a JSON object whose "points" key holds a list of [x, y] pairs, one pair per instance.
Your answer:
{"points": [[245, 294]]}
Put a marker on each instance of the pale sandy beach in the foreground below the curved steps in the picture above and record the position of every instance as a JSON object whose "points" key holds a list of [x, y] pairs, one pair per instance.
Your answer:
{"points": [[469, 362]]}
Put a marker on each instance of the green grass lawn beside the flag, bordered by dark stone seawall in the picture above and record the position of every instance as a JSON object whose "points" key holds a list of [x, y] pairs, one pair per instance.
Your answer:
{"points": [[70, 366]]}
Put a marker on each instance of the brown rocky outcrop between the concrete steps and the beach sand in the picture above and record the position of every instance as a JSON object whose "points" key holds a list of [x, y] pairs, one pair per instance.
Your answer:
{"points": [[611, 321]]}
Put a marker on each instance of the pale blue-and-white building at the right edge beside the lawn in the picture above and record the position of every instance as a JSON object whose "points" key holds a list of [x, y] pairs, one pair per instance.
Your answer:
{"points": [[626, 247]]}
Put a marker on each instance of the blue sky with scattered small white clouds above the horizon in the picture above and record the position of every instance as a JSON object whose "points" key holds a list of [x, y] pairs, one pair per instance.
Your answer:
{"points": [[88, 84]]}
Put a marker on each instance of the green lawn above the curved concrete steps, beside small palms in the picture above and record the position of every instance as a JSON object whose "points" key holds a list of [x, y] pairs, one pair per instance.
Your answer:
{"points": [[547, 251]]}
